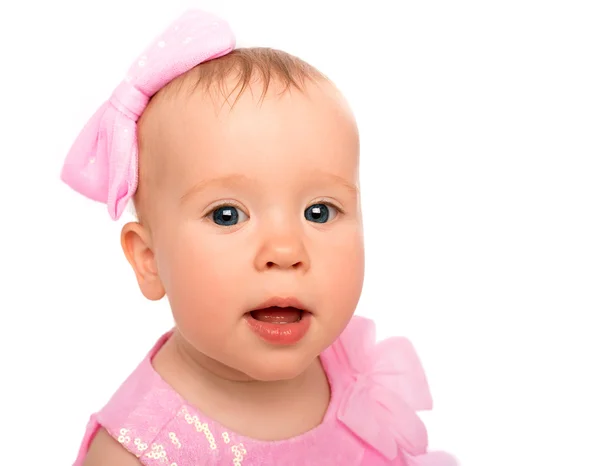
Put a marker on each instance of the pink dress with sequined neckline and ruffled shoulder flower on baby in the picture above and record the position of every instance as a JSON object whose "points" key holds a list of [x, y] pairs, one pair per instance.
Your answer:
{"points": [[371, 420]]}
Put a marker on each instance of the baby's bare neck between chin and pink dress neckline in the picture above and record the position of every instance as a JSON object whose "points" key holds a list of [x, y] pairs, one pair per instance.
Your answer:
{"points": [[285, 408]]}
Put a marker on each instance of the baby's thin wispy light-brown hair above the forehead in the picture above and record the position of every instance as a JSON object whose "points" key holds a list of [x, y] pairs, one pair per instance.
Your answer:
{"points": [[233, 72]]}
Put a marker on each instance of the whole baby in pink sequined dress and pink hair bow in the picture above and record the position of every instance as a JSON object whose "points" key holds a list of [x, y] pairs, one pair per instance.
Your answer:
{"points": [[243, 168]]}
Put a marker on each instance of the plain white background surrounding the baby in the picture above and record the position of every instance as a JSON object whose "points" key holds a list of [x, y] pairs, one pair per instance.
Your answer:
{"points": [[480, 127]]}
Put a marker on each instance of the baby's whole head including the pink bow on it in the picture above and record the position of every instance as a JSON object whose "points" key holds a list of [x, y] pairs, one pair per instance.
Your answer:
{"points": [[243, 169]]}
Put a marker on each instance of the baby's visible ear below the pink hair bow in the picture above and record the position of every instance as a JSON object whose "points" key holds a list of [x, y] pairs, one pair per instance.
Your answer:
{"points": [[135, 241]]}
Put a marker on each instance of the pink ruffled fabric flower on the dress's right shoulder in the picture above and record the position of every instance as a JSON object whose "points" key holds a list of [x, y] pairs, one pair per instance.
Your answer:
{"points": [[380, 407]]}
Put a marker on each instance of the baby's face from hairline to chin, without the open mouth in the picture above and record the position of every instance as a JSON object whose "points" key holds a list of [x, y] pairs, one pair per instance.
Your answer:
{"points": [[252, 203]]}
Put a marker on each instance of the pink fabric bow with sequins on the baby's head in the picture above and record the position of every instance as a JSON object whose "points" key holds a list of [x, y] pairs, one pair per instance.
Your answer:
{"points": [[102, 164]]}
